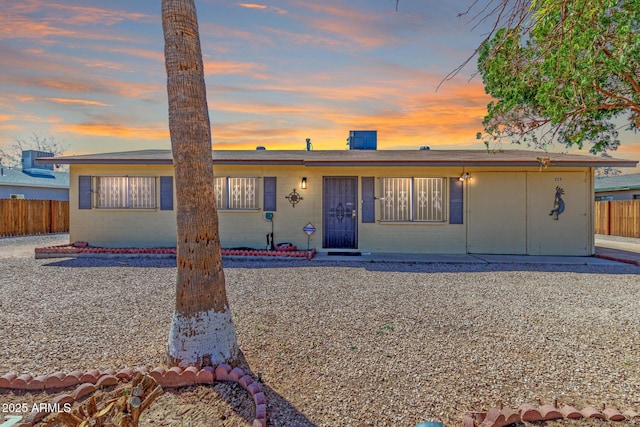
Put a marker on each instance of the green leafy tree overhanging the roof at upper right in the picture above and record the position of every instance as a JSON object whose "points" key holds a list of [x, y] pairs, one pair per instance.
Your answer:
{"points": [[565, 71]]}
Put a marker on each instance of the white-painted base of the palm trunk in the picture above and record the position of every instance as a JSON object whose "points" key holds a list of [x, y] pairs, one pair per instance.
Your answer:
{"points": [[208, 333]]}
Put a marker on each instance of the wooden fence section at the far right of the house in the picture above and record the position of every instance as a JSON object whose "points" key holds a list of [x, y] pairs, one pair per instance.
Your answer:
{"points": [[618, 218]]}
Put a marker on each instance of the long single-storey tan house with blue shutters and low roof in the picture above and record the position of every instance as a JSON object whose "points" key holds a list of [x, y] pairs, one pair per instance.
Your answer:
{"points": [[366, 200]]}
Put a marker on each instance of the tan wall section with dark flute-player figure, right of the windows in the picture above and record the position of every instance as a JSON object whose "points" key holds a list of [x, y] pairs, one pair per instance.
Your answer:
{"points": [[509, 212]]}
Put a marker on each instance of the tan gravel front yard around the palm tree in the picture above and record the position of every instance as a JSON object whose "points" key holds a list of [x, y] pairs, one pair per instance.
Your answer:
{"points": [[341, 344]]}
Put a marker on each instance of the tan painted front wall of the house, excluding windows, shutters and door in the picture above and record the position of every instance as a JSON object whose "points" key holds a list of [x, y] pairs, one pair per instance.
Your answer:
{"points": [[506, 211]]}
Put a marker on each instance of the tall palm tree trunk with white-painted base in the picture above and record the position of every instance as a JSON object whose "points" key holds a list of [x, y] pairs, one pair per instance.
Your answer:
{"points": [[202, 329]]}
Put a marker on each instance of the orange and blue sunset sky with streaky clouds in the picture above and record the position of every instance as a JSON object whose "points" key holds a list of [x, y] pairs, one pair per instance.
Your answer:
{"points": [[91, 74]]}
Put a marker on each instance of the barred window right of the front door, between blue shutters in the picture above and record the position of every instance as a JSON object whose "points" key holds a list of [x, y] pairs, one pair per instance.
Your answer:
{"points": [[412, 199]]}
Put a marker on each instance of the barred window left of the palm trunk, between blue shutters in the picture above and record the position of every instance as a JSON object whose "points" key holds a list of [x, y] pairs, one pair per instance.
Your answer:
{"points": [[125, 192]]}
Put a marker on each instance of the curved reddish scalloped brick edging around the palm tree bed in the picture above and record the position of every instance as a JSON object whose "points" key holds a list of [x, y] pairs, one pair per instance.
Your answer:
{"points": [[86, 383]]}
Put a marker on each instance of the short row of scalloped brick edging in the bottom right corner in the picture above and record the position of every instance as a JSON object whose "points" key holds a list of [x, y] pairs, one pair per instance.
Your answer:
{"points": [[500, 417]]}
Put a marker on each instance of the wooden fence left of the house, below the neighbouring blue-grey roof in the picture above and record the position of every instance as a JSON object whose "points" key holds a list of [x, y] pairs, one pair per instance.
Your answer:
{"points": [[22, 217]]}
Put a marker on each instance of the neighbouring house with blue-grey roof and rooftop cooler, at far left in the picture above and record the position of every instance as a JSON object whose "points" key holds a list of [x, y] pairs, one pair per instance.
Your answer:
{"points": [[34, 180]]}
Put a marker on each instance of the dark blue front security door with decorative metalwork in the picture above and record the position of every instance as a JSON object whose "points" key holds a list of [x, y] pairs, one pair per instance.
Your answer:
{"points": [[340, 215]]}
